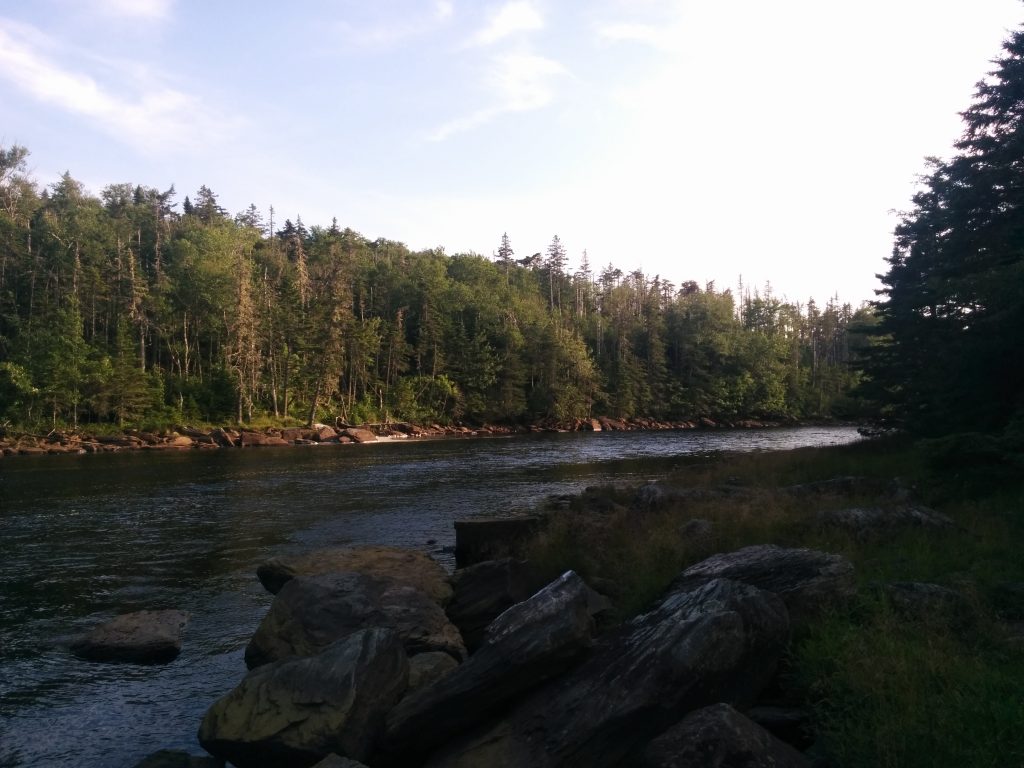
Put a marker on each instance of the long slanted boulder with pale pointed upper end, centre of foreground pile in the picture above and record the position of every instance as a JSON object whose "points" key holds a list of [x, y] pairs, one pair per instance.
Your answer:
{"points": [[526, 646]]}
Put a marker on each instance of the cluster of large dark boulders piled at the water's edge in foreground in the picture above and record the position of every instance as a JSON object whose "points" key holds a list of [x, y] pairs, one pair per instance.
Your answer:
{"points": [[375, 657]]}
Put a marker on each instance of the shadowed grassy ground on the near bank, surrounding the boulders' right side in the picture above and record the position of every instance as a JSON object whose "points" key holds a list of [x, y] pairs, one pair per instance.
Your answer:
{"points": [[945, 688]]}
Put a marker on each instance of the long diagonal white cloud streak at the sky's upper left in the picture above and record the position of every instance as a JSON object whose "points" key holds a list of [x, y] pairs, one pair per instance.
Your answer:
{"points": [[146, 114]]}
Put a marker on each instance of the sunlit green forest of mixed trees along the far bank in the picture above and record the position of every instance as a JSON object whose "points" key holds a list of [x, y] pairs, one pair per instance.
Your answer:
{"points": [[122, 310]]}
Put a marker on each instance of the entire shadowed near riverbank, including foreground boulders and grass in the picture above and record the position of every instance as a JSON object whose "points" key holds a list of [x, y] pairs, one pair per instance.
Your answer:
{"points": [[851, 607]]}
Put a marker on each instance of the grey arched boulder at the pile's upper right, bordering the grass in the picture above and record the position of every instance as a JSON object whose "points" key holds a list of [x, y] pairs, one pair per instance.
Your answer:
{"points": [[807, 581]]}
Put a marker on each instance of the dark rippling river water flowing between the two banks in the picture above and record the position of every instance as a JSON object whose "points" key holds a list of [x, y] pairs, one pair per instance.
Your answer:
{"points": [[84, 538]]}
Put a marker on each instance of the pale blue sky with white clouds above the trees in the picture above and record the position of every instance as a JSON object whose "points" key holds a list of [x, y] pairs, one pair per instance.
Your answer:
{"points": [[769, 143]]}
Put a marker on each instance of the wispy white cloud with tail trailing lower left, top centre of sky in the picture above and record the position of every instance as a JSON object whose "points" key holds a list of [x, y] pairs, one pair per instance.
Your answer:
{"points": [[523, 82]]}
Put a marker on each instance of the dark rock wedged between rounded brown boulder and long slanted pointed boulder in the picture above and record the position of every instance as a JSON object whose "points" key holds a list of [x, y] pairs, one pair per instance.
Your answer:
{"points": [[484, 591]]}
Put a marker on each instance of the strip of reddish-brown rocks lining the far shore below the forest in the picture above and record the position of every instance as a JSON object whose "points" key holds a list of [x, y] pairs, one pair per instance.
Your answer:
{"points": [[188, 439]]}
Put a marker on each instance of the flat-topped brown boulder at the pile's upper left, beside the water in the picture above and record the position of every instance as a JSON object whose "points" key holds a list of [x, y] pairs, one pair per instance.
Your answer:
{"points": [[402, 567]]}
